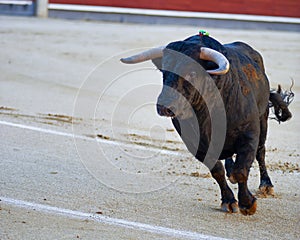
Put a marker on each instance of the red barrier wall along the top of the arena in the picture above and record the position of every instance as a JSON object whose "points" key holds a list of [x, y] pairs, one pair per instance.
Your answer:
{"points": [[286, 8]]}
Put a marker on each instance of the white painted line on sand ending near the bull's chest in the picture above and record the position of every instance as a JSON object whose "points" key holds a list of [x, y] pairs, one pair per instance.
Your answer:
{"points": [[100, 140]]}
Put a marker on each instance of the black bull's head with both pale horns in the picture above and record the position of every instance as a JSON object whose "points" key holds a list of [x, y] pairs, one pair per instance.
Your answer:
{"points": [[177, 61]]}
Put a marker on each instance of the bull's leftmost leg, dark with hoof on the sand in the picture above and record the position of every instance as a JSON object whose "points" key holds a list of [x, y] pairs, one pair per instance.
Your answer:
{"points": [[229, 203]]}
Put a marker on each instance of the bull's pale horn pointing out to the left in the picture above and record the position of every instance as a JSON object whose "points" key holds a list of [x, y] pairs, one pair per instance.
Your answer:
{"points": [[144, 56]]}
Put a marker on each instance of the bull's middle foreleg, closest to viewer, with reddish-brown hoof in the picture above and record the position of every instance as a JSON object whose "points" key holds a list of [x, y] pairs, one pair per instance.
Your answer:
{"points": [[240, 172]]}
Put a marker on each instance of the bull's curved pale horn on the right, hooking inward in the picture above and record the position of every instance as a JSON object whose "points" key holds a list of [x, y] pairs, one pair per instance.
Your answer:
{"points": [[216, 57]]}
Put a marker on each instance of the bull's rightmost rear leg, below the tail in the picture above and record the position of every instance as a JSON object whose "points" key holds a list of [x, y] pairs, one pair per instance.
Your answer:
{"points": [[266, 187]]}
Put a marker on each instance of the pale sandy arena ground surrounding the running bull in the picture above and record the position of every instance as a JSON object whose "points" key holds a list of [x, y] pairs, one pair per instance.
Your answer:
{"points": [[79, 132]]}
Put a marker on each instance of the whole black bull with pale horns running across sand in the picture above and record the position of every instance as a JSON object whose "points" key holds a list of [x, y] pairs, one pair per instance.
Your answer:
{"points": [[239, 128]]}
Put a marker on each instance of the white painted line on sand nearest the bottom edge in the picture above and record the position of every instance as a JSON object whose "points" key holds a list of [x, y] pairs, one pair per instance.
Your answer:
{"points": [[106, 220]]}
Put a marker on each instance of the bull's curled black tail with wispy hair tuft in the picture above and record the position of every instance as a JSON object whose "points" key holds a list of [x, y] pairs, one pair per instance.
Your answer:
{"points": [[279, 100]]}
